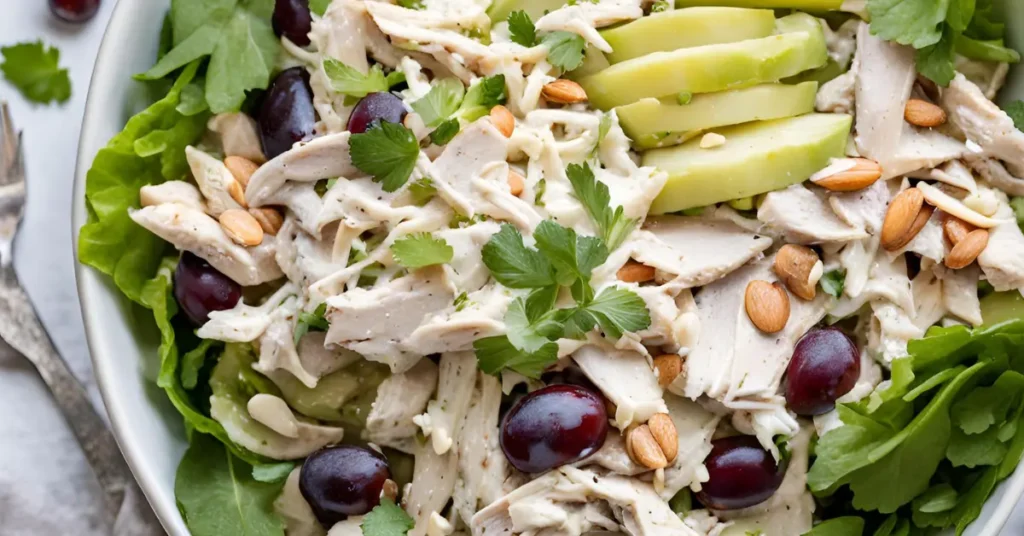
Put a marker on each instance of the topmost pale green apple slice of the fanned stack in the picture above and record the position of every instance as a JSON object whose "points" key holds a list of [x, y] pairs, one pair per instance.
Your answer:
{"points": [[686, 29]]}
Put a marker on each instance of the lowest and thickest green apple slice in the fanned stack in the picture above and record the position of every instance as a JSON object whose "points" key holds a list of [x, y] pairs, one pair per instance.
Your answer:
{"points": [[756, 158]]}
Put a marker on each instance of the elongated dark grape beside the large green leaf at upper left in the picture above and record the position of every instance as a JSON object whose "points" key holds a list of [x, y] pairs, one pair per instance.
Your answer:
{"points": [[287, 114]]}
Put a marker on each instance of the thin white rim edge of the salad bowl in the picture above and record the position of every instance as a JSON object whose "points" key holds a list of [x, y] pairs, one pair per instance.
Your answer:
{"points": [[92, 284]]}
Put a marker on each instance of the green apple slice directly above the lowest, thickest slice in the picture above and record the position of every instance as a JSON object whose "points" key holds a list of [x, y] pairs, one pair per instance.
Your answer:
{"points": [[654, 116]]}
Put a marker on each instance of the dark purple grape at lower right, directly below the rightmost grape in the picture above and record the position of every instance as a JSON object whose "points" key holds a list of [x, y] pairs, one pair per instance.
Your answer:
{"points": [[742, 474]]}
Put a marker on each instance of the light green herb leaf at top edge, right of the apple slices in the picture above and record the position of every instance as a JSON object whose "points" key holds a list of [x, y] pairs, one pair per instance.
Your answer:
{"points": [[915, 23]]}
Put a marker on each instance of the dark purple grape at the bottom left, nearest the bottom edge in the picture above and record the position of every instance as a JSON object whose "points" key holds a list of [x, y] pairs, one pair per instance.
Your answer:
{"points": [[344, 481]]}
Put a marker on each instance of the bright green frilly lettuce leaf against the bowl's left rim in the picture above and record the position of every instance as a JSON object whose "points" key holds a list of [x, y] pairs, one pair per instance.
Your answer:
{"points": [[149, 151]]}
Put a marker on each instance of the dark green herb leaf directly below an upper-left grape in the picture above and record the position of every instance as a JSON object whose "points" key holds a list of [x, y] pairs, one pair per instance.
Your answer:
{"points": [[387, 151]]}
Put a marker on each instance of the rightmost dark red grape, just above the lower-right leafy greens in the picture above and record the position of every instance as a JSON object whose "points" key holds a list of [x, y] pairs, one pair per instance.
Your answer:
{"points": [[826, 365]]}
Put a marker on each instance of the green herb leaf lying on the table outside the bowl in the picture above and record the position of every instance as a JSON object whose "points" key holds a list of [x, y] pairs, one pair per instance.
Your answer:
{"points": [[34, 70]]}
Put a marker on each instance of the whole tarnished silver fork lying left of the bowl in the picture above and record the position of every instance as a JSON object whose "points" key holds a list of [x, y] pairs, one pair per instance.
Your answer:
{"points": [[126, 509]]}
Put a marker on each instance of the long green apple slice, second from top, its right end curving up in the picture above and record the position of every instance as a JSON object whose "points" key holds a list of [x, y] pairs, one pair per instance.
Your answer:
{"points": [[711, 68]]}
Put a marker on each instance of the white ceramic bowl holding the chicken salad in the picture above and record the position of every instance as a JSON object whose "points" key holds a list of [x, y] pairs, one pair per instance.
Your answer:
{"points": [[122, 339]]}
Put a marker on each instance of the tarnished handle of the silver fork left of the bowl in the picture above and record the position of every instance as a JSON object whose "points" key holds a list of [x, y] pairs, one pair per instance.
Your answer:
{"points": [[21, 328]]}
